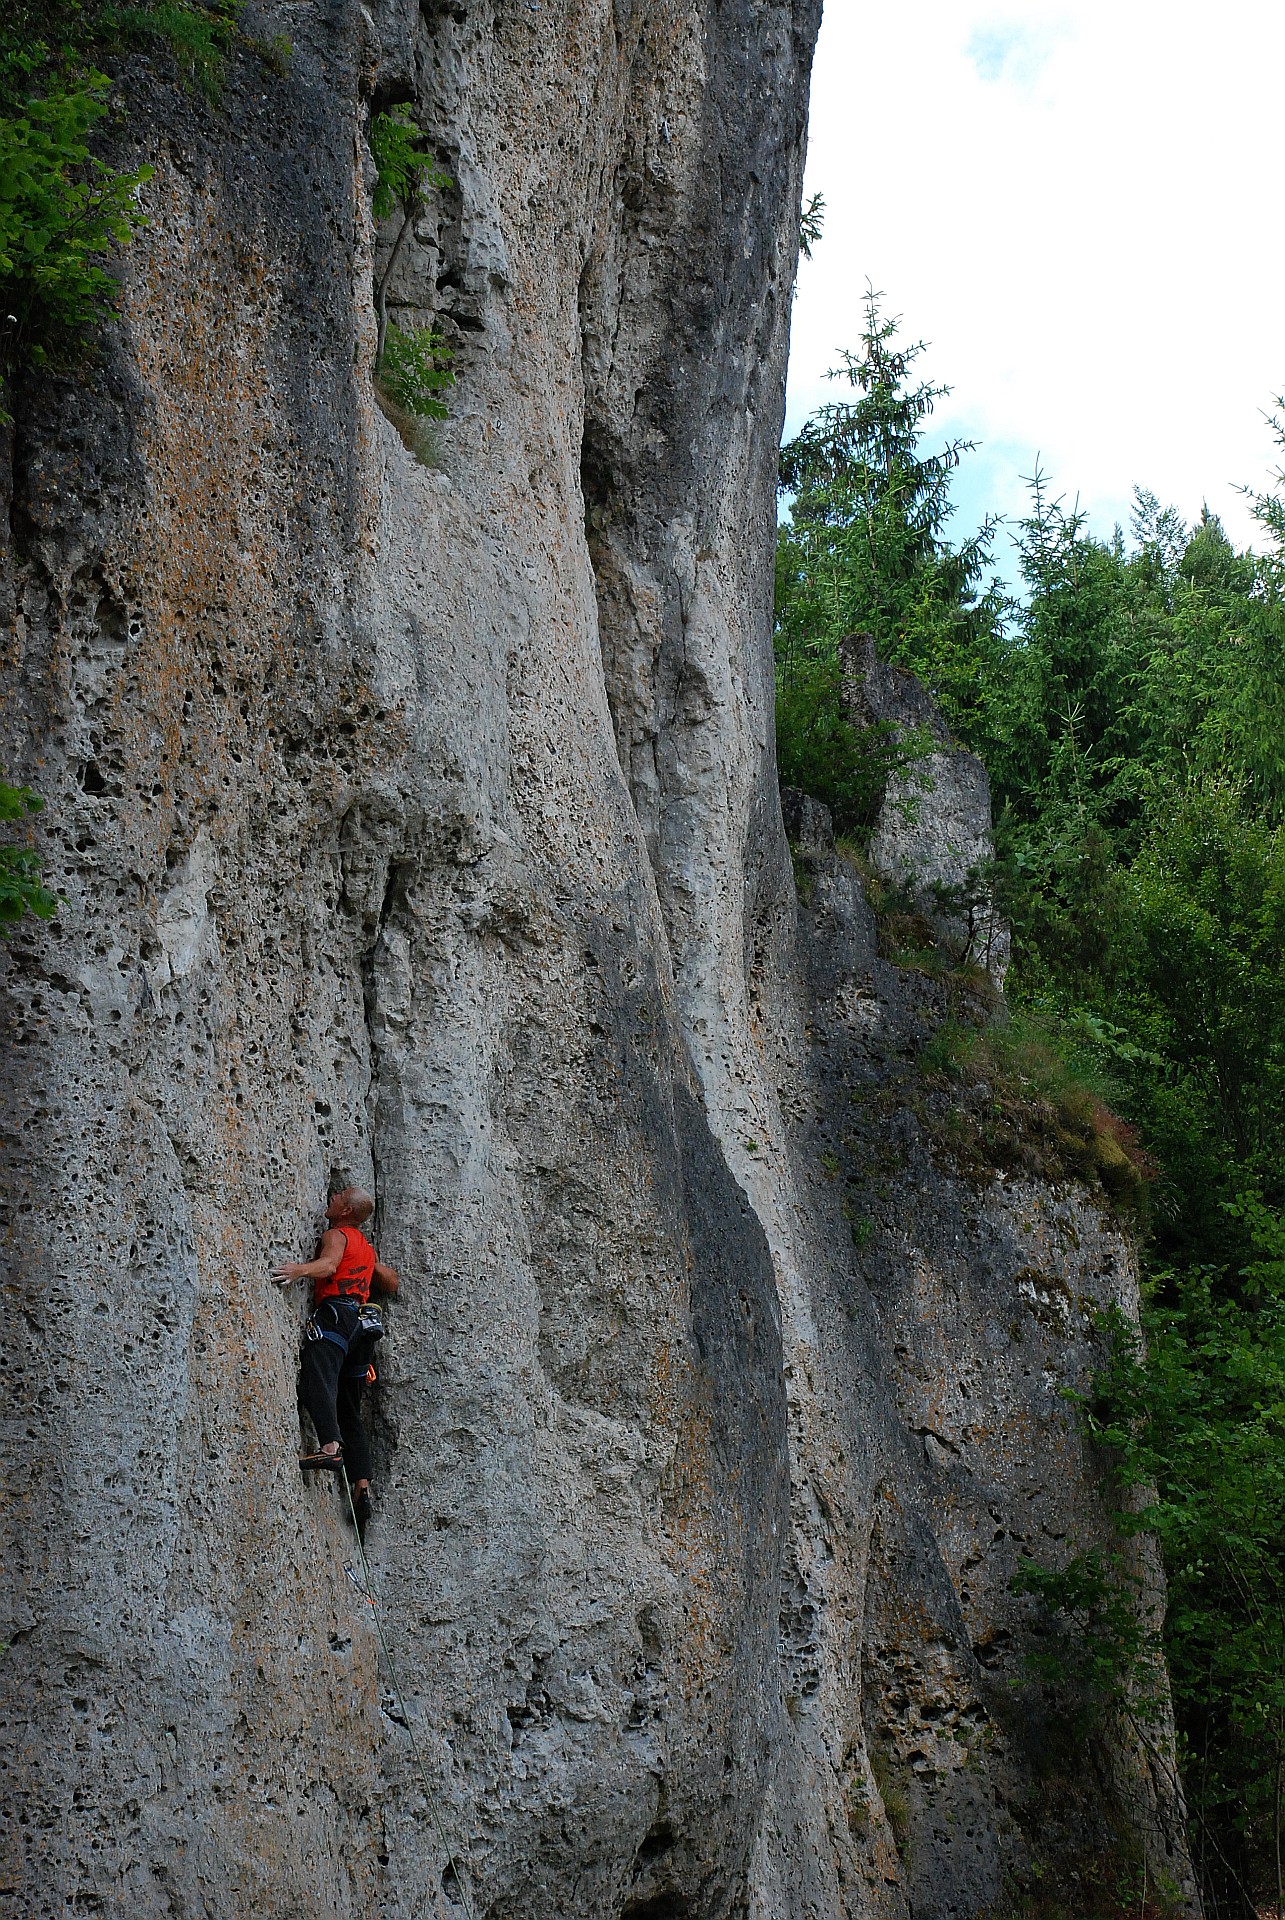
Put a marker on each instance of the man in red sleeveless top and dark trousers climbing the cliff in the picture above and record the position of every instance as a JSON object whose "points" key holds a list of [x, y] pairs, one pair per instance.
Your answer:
{"points": [[337, 1353]]}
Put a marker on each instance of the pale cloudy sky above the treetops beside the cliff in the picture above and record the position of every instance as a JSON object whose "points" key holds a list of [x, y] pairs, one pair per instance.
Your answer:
{"points": [[1080, 208]]}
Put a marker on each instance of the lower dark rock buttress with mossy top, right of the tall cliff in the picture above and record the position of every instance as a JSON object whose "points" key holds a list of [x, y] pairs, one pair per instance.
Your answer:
{"points": [[965, 1291]]}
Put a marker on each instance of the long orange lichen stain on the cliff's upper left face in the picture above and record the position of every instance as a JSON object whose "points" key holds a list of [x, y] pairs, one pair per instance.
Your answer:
{"points": [[210, 548]]}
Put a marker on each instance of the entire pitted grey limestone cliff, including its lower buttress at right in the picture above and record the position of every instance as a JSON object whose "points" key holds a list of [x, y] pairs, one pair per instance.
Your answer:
{"points": [[422, 823]]}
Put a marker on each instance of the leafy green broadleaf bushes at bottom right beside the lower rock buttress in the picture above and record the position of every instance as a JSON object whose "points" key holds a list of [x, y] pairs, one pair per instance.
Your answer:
{"points": [[1198, 1422]]}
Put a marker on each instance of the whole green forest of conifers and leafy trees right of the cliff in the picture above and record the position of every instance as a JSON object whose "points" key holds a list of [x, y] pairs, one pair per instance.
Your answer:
{"points": [[1130, 709]]}
